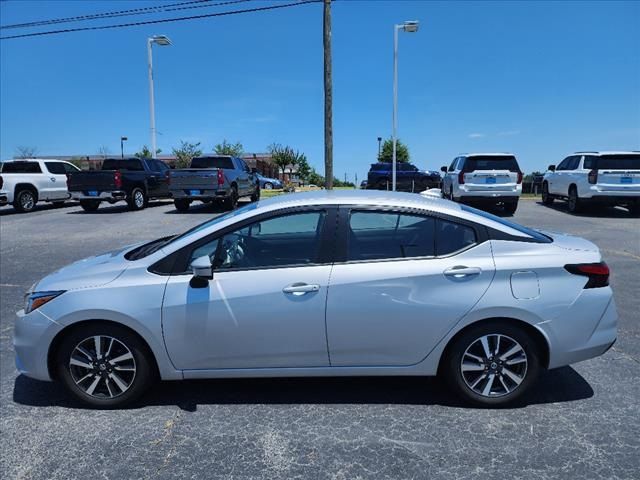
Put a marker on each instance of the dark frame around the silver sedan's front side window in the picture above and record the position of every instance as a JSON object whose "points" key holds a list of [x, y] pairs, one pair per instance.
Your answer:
{"points": [[176, 263]]}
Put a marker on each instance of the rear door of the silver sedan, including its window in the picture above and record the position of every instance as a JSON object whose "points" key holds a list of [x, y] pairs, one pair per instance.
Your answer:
{"points": [[404, 281]]}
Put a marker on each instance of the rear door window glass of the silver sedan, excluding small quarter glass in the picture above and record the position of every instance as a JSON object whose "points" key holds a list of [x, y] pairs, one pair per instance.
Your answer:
{"points": [[382, 235]]}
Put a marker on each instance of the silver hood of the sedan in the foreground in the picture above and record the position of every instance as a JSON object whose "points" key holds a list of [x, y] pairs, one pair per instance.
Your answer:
{"points": [[90, 272]]}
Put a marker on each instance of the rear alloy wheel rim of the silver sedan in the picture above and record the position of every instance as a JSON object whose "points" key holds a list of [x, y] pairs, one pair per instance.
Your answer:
{"points": [[494, 365]]}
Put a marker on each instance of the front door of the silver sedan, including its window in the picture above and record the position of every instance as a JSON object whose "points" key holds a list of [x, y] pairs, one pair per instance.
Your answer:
{"points": [[264, 308]]}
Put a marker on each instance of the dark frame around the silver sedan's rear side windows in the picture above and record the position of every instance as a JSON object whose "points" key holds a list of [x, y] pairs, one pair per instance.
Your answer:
{"points": [[342, 234]]}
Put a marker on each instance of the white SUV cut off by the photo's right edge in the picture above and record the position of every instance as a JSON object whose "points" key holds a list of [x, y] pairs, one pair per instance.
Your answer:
{"points": [[595, 178]]}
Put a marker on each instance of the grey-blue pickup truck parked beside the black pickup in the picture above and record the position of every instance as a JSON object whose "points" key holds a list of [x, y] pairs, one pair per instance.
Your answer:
{"points": [[218, 178]]}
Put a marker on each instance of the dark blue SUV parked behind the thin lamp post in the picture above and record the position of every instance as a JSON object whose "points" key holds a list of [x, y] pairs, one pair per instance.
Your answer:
{"points": [[408, 177]]}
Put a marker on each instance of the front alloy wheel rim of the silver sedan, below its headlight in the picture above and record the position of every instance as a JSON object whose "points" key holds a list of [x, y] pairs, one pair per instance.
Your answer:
{"points": [[102, 366]]}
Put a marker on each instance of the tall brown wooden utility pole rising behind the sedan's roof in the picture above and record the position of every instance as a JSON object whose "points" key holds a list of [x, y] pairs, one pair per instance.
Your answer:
{"points": [[328, 99]]}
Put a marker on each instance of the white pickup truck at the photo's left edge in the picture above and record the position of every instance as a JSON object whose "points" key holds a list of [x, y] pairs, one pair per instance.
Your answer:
{"points": [[26, 182]]}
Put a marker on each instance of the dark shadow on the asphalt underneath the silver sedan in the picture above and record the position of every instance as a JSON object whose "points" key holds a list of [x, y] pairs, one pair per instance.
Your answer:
{"points": [[559, 385]]}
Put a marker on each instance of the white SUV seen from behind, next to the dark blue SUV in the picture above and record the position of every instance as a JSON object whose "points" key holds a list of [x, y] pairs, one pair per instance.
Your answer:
{"points": [[493, 178]]}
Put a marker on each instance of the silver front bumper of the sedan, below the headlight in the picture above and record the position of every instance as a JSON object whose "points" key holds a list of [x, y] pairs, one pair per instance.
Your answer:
{"points": [[32, 338]]}
